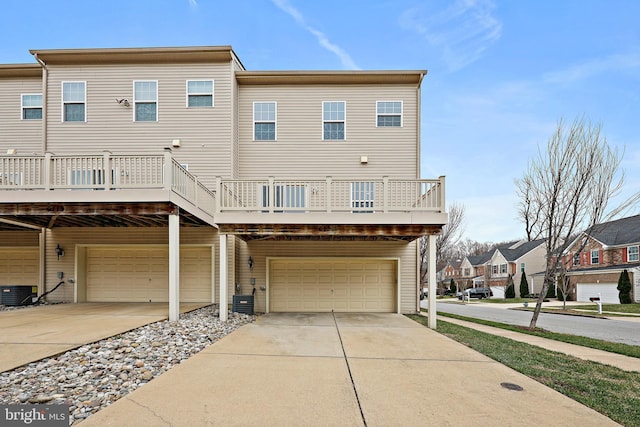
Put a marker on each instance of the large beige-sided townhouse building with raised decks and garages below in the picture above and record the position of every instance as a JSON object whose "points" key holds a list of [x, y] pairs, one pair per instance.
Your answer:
{"points": [[175, 175]]}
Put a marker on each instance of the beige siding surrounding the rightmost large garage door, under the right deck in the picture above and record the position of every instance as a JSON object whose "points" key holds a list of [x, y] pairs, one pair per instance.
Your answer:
{"points": [[260, 250]]}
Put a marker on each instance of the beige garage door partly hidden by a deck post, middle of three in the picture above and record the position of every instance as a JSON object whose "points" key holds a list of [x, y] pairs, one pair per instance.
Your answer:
{"points": [[141, 274]]}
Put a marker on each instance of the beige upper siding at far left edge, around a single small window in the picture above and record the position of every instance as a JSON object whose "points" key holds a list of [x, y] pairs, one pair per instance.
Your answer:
{"points": [[23, 135]]}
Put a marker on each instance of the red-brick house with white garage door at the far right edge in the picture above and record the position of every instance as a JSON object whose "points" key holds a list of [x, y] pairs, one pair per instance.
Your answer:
{"points": [[597, 256]]}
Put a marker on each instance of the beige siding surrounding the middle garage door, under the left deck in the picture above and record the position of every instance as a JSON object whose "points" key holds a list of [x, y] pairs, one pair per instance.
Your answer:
{"points": [[71, 239]]}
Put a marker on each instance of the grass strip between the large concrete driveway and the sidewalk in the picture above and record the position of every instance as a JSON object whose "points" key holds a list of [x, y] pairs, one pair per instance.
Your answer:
{"points": [[606, 389]]}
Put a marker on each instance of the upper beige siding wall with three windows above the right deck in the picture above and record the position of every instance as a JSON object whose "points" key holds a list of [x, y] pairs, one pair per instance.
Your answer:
{"points": [[300, 151]]}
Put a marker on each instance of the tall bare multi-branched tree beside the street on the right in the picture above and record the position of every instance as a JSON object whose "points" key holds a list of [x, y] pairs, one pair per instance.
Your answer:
{"points": [[567, 188]]}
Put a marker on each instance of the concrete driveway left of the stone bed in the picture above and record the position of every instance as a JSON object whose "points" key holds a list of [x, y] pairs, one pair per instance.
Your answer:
{"points": [[33, 333]]}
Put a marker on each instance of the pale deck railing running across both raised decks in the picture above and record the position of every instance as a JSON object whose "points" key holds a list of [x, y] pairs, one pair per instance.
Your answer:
{"points": [[119, 172]]}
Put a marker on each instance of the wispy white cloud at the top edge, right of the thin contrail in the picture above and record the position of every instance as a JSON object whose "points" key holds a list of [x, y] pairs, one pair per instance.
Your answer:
{"points": [[462, 31]]}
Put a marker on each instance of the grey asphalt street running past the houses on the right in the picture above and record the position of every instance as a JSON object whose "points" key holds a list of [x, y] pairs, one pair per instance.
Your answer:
{"points": [[623, 331]]}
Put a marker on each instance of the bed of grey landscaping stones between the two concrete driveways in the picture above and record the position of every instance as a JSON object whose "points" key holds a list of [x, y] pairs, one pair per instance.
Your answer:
{"points": [[93, 376]]}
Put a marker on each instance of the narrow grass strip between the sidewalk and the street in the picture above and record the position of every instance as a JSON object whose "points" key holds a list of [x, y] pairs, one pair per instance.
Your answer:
{"points": [[613, 347]]}
